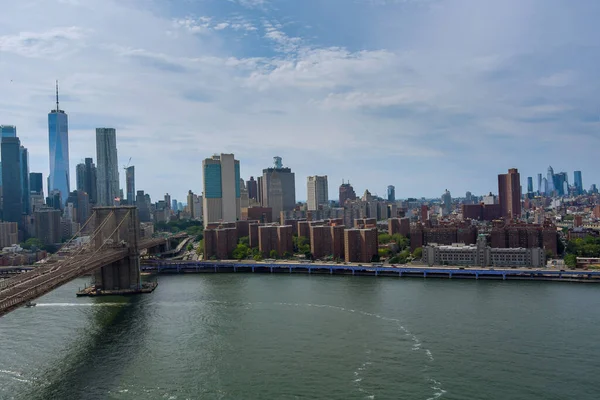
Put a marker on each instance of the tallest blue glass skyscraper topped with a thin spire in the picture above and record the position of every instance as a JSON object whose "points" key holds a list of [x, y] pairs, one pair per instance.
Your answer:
{"points": [[58, 138]]}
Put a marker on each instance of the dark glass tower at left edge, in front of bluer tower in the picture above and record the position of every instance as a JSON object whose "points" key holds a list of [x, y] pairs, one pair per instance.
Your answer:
{"points": [[12, 197]]}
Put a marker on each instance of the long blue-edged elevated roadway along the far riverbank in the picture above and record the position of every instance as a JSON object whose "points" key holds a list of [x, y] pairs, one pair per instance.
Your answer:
{"points": [[403, 271]]}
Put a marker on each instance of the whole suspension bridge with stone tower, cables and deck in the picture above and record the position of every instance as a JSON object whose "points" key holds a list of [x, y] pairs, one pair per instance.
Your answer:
{"points": [[110, 252]]}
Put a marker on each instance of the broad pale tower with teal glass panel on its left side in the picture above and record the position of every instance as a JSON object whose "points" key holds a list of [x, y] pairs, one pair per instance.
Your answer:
{"points": [[221, 200]]}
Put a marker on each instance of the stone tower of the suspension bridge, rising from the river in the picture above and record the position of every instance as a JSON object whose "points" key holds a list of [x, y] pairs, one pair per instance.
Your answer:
{"points": [[121, 229]]}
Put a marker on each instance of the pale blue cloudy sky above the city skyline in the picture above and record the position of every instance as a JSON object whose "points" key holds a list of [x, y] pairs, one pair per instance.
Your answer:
{"points": [[425, 95]]}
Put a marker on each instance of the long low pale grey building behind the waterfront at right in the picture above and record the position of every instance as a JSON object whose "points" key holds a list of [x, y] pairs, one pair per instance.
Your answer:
{"points": [[483, 255]]}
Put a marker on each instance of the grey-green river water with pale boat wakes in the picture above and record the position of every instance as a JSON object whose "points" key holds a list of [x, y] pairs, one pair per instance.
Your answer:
{"points": [[252, 336]]}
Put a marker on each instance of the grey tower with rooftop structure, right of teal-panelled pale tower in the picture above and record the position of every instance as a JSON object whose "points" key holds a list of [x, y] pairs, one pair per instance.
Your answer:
{"points": [[278, 188]]}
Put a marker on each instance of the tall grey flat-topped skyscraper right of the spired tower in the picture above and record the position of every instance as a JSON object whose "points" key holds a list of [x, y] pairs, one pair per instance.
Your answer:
{"points": [[108, 168]]}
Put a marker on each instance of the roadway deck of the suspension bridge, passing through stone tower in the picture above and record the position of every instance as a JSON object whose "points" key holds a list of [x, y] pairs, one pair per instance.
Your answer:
{"points": [[18, 290]]}
